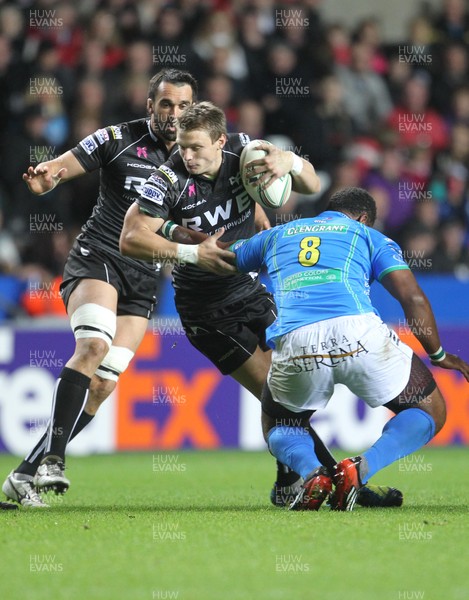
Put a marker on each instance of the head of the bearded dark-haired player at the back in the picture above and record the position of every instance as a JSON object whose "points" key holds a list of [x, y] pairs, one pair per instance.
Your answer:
{"points": [[170, 92]]}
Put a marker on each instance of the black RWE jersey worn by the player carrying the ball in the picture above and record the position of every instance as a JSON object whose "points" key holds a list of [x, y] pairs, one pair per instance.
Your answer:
{"points": [[204, 205]]}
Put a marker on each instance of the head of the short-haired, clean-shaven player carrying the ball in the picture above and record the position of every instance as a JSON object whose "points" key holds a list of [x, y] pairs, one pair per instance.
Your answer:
{"points": [[201, 135]]}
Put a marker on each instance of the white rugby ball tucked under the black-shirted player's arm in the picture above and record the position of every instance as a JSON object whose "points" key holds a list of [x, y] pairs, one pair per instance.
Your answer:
{"points": [[274, 195]]}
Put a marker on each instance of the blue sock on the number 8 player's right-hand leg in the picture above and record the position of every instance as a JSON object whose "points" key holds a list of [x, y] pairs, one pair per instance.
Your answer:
{"points": [[403, 434]]}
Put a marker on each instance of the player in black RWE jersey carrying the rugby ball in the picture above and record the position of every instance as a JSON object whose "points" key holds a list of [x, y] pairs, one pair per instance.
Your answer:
{"points": [[200, 188]]}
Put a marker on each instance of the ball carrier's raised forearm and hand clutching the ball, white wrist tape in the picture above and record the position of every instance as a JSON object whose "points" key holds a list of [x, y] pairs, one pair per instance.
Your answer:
{"points": [[277, 163]]}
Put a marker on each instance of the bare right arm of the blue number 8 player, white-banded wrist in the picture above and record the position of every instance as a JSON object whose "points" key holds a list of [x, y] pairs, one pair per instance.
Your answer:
{"points": [[420, 318]]}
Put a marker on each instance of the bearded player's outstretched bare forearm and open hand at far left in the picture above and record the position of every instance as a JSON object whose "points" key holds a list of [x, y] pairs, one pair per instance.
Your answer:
{"points": [[47, 175]]}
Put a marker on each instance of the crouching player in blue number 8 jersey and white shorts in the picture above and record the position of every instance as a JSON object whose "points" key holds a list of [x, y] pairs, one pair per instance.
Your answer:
{"points": [[327, 332]]}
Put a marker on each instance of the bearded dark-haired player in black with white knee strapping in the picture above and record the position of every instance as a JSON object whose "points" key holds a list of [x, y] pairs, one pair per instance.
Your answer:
{"points": [[109, 298]]}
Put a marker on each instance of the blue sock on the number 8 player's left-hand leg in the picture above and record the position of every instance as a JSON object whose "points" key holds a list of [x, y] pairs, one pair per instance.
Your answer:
{"points": [[294, 447]]}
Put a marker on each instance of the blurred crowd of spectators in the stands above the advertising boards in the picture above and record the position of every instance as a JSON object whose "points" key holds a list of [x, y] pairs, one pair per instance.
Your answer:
{"points": [[391, 117]]}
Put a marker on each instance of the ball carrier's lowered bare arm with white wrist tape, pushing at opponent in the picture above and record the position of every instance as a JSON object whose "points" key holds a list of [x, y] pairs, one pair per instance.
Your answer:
{"points": [[138, 240]]}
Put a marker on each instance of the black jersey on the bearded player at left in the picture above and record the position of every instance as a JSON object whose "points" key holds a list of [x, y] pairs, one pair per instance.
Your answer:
{"points": [[126, 154]]}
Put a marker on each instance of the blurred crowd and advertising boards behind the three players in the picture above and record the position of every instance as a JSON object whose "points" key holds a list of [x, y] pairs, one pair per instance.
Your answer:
{"points": [[289, 72]]}
